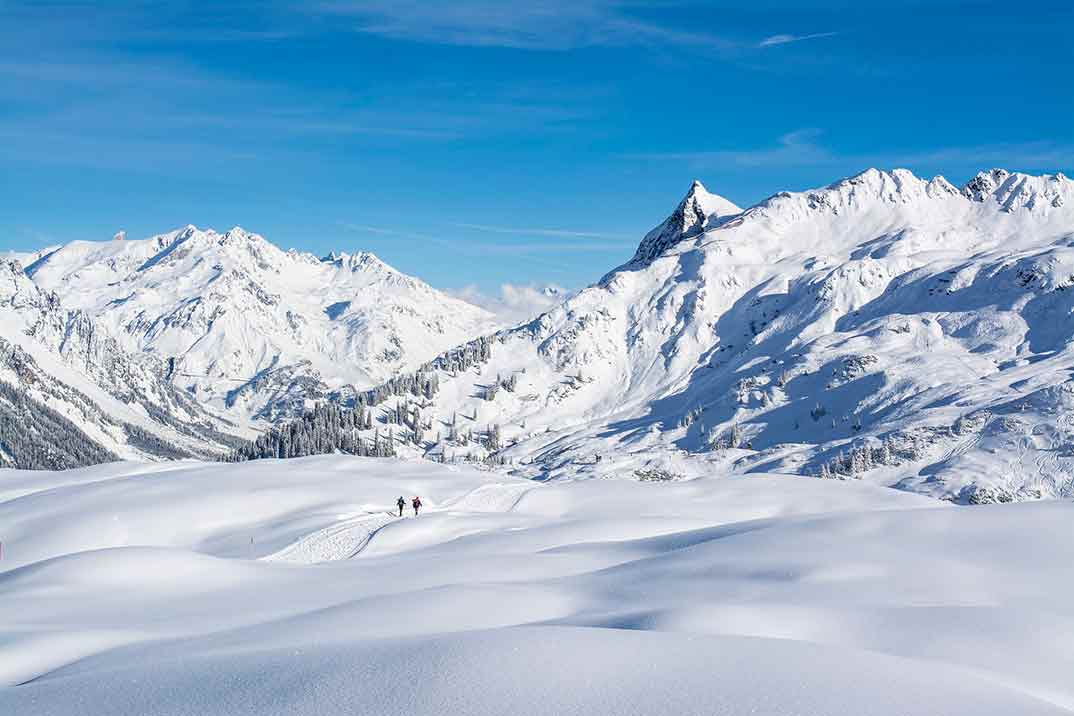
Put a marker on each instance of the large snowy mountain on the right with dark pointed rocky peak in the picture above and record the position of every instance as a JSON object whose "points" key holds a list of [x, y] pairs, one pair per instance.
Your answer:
{"points": [[896, 329]]}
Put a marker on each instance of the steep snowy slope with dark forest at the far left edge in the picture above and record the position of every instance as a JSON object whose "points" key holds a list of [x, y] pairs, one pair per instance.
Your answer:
{"points": [[70, 396]]}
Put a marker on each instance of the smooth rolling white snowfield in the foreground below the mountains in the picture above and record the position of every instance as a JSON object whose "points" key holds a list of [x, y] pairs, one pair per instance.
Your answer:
{"points": [[135, 589]]}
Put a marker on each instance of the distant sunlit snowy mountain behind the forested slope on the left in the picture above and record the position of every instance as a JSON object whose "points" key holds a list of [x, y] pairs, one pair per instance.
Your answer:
{"points": [[253, 330]]}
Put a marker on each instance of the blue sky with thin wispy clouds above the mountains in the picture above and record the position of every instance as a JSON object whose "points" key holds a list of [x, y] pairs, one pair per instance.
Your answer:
{"points": [[482, 143]]}
